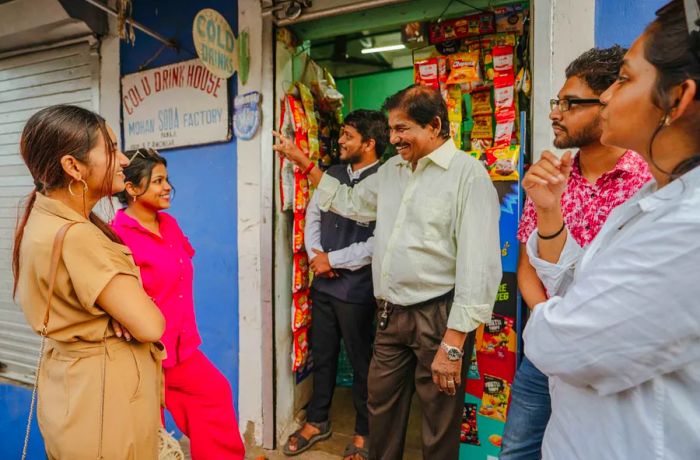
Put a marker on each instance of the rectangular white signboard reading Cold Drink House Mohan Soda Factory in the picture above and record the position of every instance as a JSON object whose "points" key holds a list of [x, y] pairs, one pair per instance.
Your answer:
{"points": [[173, 106]]}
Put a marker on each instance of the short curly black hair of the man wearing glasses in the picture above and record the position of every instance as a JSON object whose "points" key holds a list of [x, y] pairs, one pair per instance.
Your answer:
{"points": [[598, 67]]}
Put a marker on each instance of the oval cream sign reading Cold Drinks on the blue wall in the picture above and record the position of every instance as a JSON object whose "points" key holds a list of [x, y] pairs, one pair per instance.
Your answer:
{"points": [[215, 42]]}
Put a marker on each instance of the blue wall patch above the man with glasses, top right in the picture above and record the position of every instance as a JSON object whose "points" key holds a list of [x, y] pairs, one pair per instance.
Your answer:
{"points": [[621, 21]]}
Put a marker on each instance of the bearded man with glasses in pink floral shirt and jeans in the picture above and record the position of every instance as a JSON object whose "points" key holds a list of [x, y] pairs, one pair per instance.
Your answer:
{"points": [[602, 178]]}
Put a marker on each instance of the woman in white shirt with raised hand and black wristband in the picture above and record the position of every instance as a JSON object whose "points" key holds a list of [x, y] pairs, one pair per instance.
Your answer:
{"points": [[620, 337]]}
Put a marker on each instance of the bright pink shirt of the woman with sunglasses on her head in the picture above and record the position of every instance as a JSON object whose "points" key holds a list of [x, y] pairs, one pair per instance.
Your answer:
{"points": [[167, 273]]}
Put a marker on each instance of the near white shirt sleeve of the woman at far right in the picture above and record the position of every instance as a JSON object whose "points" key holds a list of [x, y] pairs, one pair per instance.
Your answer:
{"points": [[630, 315]]}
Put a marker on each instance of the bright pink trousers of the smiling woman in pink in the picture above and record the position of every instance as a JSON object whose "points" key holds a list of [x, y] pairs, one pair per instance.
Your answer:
{"points": [[199, 398]]}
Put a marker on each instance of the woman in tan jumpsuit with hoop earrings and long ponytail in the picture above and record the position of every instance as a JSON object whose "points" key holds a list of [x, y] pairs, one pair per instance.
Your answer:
{"points": [[98, 393]]}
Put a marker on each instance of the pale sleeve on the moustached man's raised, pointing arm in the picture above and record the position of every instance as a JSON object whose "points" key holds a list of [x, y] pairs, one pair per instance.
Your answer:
{"points": [[358, 203]]}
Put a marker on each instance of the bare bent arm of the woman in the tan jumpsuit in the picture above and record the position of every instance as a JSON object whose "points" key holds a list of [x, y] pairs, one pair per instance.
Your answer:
{"points": [[126, 301]]}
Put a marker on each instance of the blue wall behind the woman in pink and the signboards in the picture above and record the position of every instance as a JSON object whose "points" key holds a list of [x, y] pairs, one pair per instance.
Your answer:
{"points": [[205, 202]]}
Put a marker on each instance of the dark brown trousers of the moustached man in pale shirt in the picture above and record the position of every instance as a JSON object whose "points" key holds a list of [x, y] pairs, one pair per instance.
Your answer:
{"points": [[403, 354]]}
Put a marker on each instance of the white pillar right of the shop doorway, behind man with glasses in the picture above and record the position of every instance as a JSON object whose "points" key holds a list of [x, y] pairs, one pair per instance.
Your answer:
{"points": [[562, 30]]}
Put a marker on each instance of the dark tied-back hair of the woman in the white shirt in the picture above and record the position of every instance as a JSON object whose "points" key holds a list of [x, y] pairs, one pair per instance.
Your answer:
{"points": [[675, 53]]}
